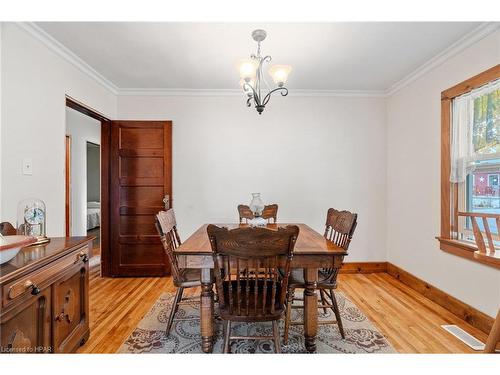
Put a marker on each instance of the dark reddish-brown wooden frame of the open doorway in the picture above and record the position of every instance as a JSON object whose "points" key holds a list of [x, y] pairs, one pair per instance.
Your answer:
{"points": [[105, 179]]}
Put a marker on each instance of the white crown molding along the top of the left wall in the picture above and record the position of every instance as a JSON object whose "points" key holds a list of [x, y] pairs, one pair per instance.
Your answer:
{"points": [[67, 55]]}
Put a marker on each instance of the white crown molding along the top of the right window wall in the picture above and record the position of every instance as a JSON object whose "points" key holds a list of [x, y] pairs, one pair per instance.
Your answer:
{"points": [[466, 41]]}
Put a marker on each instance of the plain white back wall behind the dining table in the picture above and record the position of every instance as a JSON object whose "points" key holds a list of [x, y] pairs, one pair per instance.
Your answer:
{"points": [[305, 153]]}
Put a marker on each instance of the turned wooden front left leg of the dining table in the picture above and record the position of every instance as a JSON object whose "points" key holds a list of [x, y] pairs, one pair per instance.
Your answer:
{"points": [[207, 311]]}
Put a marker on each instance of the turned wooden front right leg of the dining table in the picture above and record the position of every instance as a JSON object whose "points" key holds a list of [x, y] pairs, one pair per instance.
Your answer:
{"points": [[310, 308]]}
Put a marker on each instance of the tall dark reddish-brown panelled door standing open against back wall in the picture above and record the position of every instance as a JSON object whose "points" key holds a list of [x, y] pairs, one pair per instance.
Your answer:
{"points": [[141, 176]]}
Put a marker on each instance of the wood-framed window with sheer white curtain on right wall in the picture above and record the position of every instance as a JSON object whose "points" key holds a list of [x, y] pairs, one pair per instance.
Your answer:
{"points": [[470, 167]]}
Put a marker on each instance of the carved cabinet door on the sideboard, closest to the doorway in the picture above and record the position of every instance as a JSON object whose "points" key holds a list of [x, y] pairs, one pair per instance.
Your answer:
{"points": [[70, 308]]}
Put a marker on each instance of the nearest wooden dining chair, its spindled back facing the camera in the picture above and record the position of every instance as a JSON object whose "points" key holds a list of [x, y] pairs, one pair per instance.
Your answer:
{"points": [[249, 285]]}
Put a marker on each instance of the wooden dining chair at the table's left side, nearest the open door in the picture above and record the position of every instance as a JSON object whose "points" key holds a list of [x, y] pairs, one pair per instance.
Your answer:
{"points": [[183, 277]]}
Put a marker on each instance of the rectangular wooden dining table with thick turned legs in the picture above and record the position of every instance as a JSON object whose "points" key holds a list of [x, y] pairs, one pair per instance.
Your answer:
{"points": [[312, 251]]}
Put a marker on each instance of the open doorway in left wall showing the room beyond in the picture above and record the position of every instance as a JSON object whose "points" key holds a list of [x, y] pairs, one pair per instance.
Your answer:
{"points": [[87, 180]]}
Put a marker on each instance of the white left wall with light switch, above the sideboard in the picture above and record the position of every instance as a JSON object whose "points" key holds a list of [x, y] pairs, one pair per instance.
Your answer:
{"points": [[34, 83]]}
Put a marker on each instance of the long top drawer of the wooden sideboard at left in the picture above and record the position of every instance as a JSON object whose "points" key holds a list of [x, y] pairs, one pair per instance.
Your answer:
{"points": [[23, 287]]}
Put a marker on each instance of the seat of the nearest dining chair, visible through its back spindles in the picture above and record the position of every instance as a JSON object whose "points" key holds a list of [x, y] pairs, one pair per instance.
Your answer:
{"points": [[255, 312]]}
